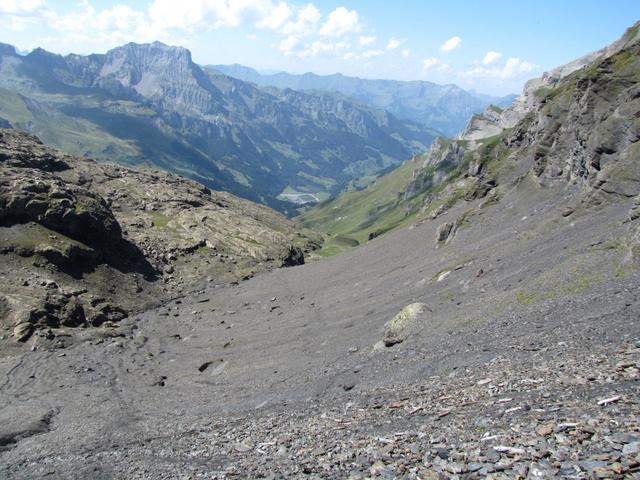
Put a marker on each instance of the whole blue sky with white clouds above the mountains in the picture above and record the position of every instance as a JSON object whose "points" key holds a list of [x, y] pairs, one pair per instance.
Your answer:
{"points": [[489, 46]]}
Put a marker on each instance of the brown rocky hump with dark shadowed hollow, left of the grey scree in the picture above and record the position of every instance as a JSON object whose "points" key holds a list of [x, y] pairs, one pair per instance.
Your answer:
{"points": [[84, 244]]}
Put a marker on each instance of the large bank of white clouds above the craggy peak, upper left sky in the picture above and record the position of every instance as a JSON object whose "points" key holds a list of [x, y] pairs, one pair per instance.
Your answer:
{"points": [[301, 30]]}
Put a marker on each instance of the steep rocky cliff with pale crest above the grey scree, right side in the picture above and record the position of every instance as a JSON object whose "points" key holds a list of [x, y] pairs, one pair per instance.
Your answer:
{"points": [[577, 124]]}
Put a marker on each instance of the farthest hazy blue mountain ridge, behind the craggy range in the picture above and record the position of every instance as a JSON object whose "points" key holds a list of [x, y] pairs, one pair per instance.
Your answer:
{"points": [[446, 108]]}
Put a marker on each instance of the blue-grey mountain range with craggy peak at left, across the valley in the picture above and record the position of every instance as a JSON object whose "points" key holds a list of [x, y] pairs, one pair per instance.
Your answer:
{"points": [[151, 104]]}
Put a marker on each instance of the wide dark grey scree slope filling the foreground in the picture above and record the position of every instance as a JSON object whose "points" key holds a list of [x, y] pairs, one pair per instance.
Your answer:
{"points": [[527, 365]]}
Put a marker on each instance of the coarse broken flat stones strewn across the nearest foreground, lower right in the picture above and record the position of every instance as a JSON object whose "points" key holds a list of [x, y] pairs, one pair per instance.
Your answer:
{"points": [[438, 428]]}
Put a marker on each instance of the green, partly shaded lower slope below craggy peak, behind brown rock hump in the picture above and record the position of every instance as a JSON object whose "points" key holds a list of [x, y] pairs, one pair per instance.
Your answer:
{"points": [[101, 129]]}
